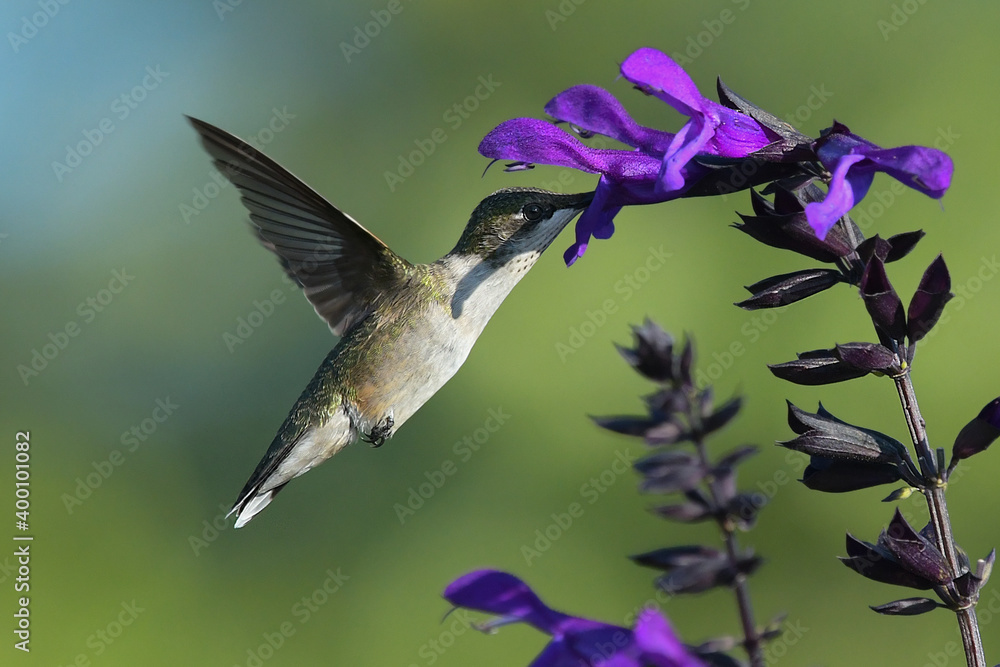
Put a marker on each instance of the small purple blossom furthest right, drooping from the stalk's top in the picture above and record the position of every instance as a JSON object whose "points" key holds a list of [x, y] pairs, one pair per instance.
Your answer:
{"points": [[853, 161]]}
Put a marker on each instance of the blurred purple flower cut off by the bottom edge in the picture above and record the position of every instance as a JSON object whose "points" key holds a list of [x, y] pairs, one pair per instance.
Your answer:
{"points": [[575, 641]]}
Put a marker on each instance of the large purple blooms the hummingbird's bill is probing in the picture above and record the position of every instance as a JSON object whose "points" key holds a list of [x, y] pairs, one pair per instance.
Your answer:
{"points": [[661, 166]]}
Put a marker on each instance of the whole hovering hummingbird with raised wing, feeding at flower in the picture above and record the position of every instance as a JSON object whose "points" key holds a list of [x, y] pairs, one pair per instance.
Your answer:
{"points": [[405, 329]]}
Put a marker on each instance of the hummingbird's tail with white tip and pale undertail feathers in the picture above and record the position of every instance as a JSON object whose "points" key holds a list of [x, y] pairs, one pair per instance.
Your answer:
{"points": [[296, 449]]}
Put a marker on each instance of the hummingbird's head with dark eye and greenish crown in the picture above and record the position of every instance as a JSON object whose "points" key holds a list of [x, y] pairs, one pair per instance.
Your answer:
{"points": [[517, 224]]}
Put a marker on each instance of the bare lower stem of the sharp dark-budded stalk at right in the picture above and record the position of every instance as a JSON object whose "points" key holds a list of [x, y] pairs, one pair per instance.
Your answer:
{"points": [[938, 510]]}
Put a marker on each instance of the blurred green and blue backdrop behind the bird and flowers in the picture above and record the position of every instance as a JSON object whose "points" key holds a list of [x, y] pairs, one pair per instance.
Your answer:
{"points": [[132, 561]]}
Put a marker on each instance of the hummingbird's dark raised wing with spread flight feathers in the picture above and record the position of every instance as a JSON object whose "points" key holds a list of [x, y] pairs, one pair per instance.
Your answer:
{"points": [[332, 257]]}
